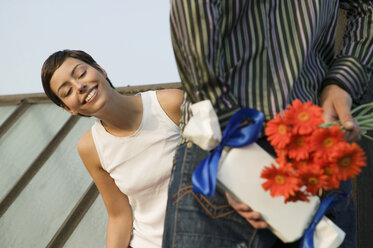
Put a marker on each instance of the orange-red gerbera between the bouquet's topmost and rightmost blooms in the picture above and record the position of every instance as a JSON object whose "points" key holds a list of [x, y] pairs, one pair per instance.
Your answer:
{"points": [[324, 140]]}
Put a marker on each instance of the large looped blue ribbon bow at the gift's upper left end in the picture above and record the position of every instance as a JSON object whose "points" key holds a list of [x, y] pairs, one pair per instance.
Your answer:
{"points": [[204, 176]]}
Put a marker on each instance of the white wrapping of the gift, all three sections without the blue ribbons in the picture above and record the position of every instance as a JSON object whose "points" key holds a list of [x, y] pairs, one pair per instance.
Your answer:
{"points": [[239, 173]]}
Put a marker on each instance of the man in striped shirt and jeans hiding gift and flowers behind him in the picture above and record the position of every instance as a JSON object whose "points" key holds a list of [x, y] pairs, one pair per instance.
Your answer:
{"points": [[261, 54]]}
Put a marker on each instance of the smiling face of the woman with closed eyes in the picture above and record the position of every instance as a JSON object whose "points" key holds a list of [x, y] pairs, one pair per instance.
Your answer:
{"points": [[80, 86]]}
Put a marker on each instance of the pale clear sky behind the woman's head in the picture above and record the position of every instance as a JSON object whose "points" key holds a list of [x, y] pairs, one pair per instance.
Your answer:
{"points": [[130, 39]]}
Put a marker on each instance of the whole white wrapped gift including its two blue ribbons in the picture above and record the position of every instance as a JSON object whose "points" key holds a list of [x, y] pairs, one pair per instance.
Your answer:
{"points": [[236, 163]]}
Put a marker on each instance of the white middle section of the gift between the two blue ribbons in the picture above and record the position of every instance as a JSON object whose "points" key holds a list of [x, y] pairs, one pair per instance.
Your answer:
{"points": [[239, 174]]}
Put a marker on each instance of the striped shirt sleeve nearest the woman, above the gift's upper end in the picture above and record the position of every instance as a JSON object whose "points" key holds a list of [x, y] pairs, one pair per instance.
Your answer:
{"points": [[197, 32]]}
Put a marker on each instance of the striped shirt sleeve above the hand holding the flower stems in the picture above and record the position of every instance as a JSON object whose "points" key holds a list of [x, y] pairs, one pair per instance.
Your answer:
{"points": [[352, 67]]}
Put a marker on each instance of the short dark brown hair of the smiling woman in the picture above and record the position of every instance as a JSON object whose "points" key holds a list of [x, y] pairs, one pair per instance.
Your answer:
{"points": [[54, 61]]}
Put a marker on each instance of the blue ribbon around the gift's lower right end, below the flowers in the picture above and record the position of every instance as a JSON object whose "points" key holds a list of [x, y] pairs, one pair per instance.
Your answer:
{"points": [[307, 240]]}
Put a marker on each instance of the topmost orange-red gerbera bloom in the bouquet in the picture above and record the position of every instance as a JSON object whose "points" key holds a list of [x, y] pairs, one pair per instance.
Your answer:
{"points": [[304, 117]]}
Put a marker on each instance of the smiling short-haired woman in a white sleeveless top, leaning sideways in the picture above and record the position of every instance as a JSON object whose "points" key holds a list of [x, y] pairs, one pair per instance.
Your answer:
{"points": [[128, 151]]}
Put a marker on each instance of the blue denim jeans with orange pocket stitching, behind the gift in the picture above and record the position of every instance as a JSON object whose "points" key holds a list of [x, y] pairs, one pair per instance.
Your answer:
{"points": [[198, 221]]}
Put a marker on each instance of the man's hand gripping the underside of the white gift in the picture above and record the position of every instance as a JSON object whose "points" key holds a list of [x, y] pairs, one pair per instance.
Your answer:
{"points": [[254, 218]]}
